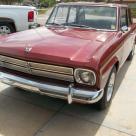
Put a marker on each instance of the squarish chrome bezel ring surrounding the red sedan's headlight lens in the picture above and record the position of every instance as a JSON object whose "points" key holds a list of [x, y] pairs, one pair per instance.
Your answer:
{"points": [[79, 79]]}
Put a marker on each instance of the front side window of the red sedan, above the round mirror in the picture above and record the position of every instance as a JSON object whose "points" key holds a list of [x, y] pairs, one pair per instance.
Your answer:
{"points": [[124, 19]]}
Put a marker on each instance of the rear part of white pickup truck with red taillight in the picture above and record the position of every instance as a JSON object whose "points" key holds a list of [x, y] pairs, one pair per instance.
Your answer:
{"points": [[16, 18]]}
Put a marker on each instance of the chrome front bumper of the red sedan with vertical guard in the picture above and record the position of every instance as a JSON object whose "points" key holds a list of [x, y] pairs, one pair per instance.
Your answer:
{"points": [[64, 92]]}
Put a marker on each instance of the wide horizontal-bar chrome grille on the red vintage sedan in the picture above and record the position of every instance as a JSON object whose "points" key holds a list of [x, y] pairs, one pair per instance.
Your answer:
{"points": [[44, 70]]}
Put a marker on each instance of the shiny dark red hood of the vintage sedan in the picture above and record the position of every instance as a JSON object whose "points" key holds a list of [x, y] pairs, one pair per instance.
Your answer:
{"points": [[55, 44]]}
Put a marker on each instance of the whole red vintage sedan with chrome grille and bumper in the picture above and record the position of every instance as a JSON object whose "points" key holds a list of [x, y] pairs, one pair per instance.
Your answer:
{"points": [[75, 56]]}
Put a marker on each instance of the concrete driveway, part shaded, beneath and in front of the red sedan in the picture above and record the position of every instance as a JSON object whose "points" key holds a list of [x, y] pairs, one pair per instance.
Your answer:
{"points": [[27, 114]]}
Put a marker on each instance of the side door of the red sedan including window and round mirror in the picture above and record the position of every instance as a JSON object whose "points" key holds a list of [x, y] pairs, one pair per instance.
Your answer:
{"points": [[127, 33]]}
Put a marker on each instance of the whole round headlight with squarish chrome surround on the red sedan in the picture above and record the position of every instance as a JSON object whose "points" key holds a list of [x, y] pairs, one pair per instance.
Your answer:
{"points": [[84, 76]]}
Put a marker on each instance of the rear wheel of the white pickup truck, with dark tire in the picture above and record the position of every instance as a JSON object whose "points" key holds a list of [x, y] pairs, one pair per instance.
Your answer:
{"points": [[6, 28]]}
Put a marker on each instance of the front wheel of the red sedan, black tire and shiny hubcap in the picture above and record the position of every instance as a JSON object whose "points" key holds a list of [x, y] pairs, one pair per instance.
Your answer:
{"points": [[108, 91]]}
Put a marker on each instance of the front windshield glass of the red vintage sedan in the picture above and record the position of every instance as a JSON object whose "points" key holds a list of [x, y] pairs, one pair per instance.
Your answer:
{"points": [[95, 17]]}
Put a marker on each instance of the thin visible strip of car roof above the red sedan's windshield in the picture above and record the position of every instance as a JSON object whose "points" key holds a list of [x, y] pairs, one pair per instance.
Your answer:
{"points": [[91, 4]]}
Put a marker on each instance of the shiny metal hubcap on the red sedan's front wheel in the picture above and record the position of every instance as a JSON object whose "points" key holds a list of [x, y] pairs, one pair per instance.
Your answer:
{"points": [[110, 87]]}
